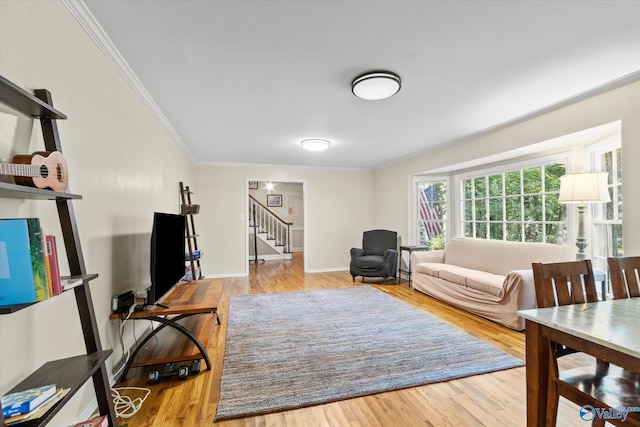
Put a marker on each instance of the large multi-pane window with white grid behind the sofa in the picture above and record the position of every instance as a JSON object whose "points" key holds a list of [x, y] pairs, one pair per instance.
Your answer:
{"points": [[518, 205]]}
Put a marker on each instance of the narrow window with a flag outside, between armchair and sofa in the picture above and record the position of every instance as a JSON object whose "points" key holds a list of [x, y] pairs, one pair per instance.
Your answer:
{"points": [[431, 213]]}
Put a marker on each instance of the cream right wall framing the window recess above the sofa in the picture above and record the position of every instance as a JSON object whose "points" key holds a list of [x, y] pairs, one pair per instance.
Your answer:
{"points": [[392, 183]]}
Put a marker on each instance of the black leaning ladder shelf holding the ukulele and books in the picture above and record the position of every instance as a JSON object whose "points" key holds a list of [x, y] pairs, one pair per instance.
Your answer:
{"points": [[75, 371]]}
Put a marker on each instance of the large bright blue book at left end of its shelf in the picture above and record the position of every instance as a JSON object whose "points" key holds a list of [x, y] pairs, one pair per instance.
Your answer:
{"points": [[17, 263]]}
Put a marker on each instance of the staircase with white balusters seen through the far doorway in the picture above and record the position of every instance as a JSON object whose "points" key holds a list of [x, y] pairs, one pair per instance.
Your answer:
{"points": [[270, 229]]}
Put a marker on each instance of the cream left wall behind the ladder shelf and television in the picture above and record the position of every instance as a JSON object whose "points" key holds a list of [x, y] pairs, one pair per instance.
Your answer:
{"points": [[120, 160]]}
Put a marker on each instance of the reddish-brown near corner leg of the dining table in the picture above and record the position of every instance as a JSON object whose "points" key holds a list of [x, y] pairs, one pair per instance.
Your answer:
{"points": [[537, 374]]}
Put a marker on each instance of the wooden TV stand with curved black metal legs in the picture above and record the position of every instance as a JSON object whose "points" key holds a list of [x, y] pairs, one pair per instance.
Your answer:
{"points": [[186, 325]]}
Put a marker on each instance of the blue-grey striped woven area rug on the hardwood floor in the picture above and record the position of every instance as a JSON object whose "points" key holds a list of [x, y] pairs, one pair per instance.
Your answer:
{"points": [[294, 349]]}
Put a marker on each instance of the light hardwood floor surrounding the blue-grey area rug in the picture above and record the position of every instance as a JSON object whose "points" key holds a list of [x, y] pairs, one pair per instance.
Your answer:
{"points": [[494, 399]]}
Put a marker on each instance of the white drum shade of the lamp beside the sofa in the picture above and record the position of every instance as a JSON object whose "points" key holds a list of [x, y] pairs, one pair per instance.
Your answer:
{"points": [[584, 187]]}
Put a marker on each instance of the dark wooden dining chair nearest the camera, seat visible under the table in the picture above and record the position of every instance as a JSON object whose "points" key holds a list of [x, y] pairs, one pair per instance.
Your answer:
{"points": [[598, 385]]}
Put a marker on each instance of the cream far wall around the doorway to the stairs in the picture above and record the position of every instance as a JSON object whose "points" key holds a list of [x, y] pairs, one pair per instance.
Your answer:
{"points": [[338, 202]]}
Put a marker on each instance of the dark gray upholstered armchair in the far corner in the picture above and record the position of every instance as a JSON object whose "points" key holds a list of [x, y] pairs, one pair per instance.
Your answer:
{"points": [[378, 256]]}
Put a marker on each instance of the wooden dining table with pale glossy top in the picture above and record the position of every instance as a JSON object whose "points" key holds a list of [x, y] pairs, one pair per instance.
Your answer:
{"points": [[608, 330]]}
